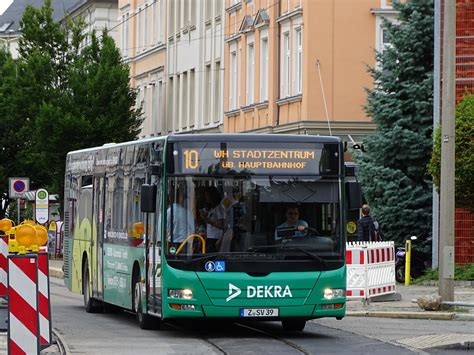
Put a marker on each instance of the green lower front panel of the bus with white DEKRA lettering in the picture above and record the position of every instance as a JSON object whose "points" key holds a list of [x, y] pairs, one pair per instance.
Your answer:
{"points": [[295, 294]]}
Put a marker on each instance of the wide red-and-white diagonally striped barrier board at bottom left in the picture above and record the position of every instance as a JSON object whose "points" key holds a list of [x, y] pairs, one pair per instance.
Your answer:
{"points": [[23, 315]]}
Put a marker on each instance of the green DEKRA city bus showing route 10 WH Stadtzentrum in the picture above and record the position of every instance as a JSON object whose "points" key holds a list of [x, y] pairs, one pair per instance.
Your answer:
{"points": [[232, 226]]}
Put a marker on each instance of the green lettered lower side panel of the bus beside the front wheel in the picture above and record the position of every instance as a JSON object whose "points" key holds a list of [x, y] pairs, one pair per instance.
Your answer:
{"points": [[118, 268]]}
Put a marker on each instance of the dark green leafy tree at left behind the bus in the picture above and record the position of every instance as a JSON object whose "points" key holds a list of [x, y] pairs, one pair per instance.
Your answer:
{"points": [[66, 91]]}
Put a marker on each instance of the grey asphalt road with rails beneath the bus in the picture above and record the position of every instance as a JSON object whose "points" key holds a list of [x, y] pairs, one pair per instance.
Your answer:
{"points": [[118, 333]]}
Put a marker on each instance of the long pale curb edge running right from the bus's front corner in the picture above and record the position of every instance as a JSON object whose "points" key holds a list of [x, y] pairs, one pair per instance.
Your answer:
{"points": [[413, 315]]}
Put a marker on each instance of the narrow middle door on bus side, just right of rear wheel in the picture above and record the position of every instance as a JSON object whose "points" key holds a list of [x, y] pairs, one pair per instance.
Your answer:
{"points": [[99, 200]]}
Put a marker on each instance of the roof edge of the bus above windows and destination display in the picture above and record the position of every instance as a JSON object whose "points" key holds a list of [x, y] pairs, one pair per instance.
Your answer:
{"points": [[218, 137]]}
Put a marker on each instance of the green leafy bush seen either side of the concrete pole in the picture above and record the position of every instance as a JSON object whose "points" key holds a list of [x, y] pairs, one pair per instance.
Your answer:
{"points": [[464, 160]]}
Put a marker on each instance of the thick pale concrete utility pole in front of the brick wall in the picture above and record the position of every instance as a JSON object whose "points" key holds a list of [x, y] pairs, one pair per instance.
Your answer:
{"points": [[446, 235]]}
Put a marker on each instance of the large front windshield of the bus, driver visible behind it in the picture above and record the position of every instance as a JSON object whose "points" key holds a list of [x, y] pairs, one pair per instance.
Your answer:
{"points": [[279, 218]]}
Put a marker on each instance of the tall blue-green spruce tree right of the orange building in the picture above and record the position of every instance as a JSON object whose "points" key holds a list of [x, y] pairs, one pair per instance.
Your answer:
{"points": [[393, 172]]}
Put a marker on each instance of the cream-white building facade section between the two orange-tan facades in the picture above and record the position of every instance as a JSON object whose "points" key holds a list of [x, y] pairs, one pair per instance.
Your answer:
{"points": [[195, 66]]}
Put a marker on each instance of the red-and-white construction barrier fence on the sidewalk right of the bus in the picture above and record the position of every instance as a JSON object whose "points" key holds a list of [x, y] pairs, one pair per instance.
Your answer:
{"points": [[370, 269]]}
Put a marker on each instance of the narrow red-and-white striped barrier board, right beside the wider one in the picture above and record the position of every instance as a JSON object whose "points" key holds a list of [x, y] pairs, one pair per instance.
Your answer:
{"points": [[44, 306]]}
